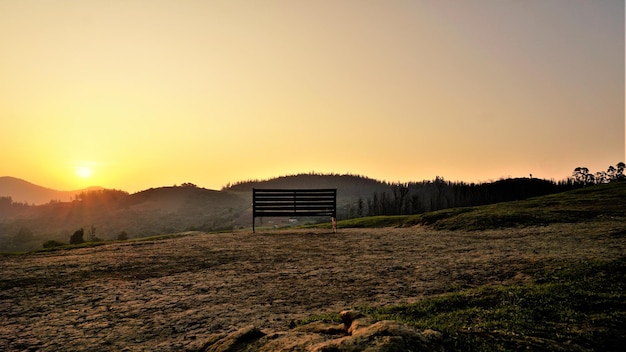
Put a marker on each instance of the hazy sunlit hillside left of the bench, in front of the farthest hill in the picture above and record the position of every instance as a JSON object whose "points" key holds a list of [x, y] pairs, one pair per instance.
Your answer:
{"points": [[107, 213]]}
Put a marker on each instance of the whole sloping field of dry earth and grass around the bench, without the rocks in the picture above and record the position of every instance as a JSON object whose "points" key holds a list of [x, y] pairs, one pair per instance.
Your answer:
{"points": [[544, 274]]}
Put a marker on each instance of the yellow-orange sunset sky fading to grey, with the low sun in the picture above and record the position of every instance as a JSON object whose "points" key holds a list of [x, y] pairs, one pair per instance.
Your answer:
{"points": [[134, 94]]}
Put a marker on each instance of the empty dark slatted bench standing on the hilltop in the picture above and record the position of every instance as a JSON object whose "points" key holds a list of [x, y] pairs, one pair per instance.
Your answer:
{"points": [[294, 202]]}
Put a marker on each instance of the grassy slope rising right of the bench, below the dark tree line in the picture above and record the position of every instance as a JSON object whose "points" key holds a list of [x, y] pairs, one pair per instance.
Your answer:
{"points": [[606, 201]]}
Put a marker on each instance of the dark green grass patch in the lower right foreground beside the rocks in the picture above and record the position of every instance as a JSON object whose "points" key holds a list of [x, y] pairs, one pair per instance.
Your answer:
{"points": [[567, 307]]}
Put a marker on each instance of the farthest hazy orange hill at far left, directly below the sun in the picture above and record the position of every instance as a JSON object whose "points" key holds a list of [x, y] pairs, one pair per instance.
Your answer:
{"points": [[22, 191]]}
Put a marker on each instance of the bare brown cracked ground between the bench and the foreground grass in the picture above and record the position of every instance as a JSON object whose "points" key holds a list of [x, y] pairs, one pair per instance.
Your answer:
{"points": [[176, 294]]}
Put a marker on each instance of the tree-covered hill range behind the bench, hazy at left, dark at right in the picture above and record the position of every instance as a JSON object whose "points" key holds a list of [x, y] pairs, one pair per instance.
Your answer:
{"points": [[105, 214]]}
